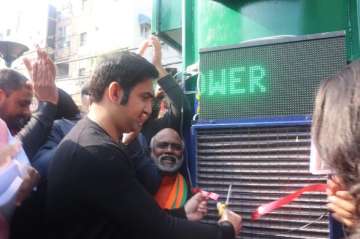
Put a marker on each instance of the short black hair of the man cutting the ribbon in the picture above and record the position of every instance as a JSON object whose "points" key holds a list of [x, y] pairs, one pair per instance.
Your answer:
{"points": [[128, 69]]}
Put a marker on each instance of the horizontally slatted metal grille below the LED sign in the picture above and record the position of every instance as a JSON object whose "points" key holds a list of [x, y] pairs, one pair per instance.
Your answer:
{"points": [[263, 164]]}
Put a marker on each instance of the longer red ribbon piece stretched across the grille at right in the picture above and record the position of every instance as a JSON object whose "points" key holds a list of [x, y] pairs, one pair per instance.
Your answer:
{"points": [[269, 207]]}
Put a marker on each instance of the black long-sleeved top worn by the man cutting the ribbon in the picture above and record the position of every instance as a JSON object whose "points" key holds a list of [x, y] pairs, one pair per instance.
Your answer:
{"points": [[93, 193]]}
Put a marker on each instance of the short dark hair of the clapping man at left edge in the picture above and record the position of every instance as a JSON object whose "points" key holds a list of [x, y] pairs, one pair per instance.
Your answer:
{"points": [[11, 80]]}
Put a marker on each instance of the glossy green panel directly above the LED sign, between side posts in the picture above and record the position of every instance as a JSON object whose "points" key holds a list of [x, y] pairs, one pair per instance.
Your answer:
{"points": [[236, 21]]}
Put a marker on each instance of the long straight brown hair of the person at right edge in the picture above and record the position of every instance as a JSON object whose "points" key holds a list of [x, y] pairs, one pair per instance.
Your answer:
{"points": [[336, 127]]}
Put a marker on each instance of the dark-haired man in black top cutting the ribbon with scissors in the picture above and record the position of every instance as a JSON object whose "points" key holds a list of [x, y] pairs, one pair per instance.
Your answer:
{"points": [[93, 191]]}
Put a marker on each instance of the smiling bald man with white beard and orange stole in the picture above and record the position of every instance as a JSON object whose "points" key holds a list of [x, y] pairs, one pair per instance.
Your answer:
{"points": [[167, 152]]}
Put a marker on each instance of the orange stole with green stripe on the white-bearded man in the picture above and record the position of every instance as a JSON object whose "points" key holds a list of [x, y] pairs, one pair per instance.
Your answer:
{"points": [[172, 193]]}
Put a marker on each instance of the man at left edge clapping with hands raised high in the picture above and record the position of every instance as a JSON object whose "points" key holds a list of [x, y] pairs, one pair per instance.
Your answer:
{"points": [[16, 93]]}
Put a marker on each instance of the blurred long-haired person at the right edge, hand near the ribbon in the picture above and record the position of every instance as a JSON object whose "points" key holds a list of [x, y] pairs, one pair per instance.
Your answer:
{"points": [[336, 134]]}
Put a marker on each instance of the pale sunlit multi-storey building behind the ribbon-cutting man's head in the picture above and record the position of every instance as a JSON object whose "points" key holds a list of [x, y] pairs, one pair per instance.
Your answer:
{"points": [[88, 29]]}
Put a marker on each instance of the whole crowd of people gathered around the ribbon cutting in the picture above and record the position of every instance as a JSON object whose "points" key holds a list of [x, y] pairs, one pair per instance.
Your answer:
{"points": [[114, 169]]}
